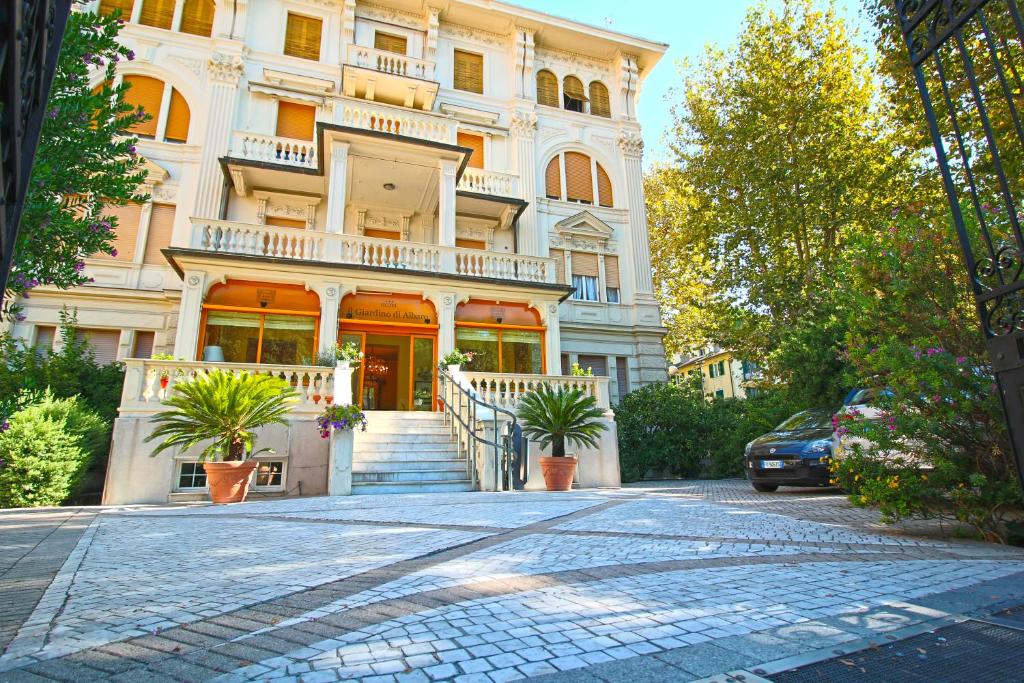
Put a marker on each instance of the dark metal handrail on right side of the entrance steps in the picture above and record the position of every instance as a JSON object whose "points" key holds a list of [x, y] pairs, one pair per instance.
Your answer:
{"points": [[466, 417]]}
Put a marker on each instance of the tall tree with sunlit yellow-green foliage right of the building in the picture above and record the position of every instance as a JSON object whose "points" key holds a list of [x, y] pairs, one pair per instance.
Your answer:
{"points": [[784, 156]]}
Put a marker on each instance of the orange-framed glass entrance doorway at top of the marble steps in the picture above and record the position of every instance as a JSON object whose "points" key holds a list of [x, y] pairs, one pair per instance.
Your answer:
{"points": [[398, 372]]}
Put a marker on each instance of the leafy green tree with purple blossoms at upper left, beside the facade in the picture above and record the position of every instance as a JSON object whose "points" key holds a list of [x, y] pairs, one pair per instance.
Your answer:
{"points": [[87, 161]]}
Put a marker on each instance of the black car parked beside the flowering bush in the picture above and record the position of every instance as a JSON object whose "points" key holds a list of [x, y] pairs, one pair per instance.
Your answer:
{"points": [[795, 454]]}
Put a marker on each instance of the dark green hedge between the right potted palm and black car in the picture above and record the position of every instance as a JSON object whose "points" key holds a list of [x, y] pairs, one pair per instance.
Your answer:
{"points": [[673, 430]]}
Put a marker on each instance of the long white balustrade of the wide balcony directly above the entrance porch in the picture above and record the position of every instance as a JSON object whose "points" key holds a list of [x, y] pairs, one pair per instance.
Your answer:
{"points": [[224, 237]]}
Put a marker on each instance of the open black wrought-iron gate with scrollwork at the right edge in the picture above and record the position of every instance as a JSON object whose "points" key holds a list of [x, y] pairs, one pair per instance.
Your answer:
{"points": [[968, 59]]}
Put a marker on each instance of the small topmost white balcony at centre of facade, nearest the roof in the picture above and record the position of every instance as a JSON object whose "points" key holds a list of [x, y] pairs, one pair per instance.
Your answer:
{"points": [[381, 76]]}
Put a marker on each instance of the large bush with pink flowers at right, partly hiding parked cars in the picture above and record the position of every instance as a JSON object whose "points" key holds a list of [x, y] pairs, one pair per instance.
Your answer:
{"points": [[941, 449]]}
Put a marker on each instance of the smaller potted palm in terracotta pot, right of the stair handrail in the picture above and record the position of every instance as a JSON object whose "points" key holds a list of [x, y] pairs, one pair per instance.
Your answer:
{"points": [[557, 417]]}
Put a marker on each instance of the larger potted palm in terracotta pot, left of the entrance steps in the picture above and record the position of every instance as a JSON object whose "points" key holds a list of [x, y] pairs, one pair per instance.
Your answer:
{"points": [[227, 409]]}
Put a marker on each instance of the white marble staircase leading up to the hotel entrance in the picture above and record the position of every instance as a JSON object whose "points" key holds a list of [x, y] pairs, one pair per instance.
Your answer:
{"points": [[408, 453]]}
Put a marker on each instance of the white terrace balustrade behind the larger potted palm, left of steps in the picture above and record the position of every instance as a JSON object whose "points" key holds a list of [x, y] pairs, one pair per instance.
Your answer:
{"points": [[149, 382]]}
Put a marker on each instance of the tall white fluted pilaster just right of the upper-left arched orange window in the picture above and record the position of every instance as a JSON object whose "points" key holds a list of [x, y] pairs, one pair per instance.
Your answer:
{"points": [[224, 72]]}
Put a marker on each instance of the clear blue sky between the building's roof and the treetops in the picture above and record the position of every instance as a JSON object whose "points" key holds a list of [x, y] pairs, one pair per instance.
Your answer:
{"points": [[688, 26]]}
